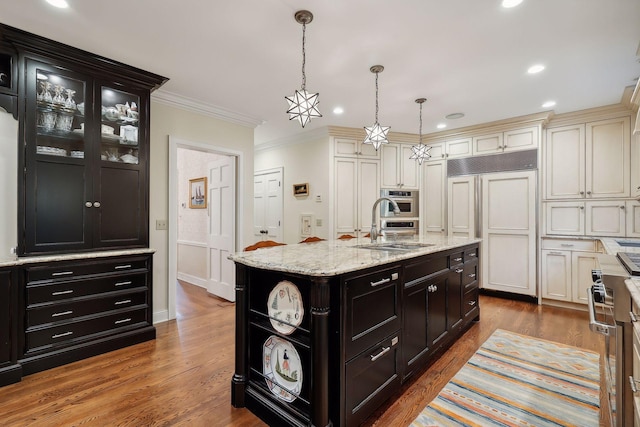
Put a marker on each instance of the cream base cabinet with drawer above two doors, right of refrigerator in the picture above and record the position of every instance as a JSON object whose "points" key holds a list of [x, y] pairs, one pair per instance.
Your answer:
{"points": [[566, 269]]}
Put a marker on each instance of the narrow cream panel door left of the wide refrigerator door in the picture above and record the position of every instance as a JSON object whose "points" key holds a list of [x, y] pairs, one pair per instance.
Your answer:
{"points": [[461, 218]]}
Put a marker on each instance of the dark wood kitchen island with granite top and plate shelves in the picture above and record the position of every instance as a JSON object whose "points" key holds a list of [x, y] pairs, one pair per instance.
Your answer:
{"points": [[327, 331]]}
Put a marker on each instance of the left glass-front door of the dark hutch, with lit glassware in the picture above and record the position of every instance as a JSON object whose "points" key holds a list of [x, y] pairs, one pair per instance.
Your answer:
{"points": [[58, 152]]}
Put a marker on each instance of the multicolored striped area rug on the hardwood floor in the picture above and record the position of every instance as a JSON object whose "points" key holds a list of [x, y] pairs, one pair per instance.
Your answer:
{"points": [[516, 380]]}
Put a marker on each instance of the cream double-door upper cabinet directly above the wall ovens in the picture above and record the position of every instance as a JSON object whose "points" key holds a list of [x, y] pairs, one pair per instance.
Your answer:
{"points": [[399, 170]]}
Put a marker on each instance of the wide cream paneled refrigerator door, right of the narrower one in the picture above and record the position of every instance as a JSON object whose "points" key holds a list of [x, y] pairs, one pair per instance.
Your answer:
{"points": [[509, 232]]}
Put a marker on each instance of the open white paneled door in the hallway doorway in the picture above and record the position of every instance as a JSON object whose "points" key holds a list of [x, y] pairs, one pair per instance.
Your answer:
{"points": [[221, 278]]}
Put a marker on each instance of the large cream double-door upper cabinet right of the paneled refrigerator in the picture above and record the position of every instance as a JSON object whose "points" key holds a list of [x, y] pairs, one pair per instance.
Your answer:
{"points": [[585, 161]]}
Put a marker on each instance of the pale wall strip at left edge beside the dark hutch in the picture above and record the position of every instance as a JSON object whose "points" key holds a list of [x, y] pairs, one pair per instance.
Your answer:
{"points": [[8, 183]]}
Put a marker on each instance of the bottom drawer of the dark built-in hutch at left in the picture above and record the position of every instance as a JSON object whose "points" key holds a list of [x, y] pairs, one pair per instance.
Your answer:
{"points": [[78, 330]]}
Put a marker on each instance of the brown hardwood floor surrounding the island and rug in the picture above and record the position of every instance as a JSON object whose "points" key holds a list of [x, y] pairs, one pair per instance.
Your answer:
{"points": [[184, 376]]}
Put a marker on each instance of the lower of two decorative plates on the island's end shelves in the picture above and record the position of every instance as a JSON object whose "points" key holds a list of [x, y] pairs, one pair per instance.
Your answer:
{"points": [[282, 368]]}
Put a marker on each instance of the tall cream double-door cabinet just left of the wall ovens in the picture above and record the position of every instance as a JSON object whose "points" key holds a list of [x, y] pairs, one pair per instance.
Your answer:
{"points": [[356, 188]]}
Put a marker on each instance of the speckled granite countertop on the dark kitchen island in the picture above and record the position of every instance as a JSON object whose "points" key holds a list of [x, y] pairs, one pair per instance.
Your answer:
{"points": [[333, 257]]}
